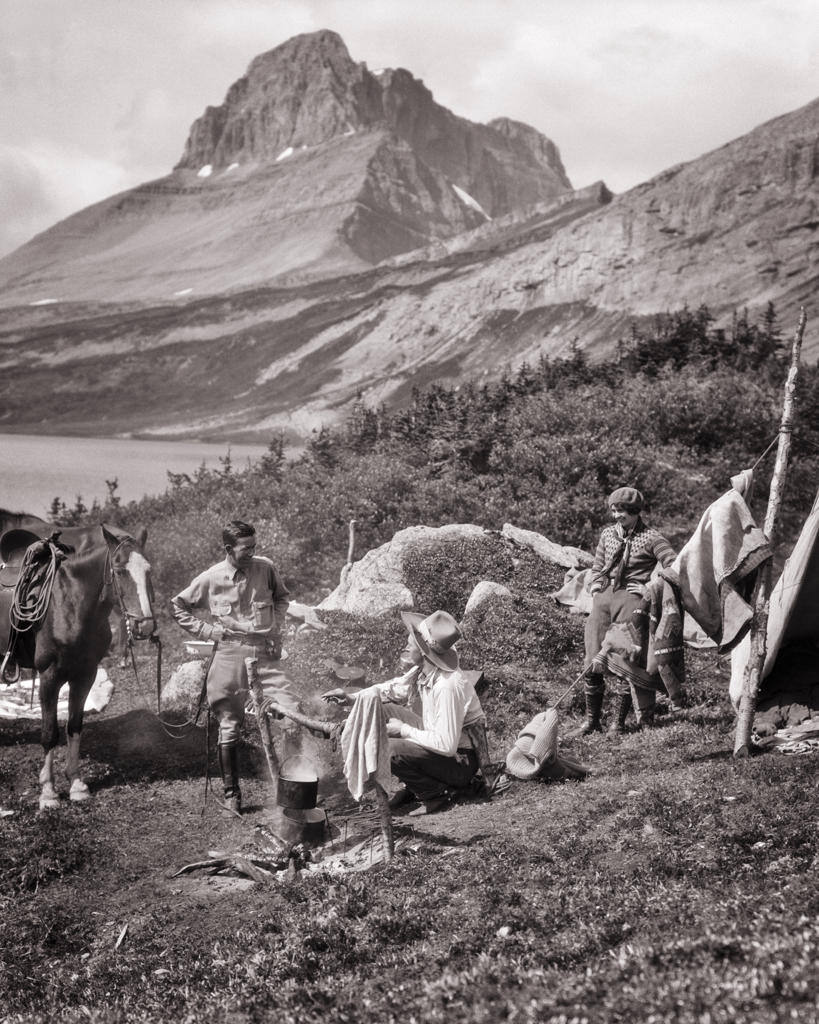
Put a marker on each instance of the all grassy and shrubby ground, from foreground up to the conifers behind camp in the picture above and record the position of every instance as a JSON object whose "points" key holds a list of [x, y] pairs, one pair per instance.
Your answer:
{"points": [[675, 884]]}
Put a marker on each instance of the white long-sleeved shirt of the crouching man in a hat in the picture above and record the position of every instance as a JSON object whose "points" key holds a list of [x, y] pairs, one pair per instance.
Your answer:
{"points": [[449, 702]]}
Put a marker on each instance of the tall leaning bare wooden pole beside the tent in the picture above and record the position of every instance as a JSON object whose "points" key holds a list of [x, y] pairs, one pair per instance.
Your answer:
{"points": [[762, 591]]}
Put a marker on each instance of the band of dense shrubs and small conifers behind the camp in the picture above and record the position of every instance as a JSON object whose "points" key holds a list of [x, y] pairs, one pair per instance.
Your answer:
{"points": [[682, 409]]}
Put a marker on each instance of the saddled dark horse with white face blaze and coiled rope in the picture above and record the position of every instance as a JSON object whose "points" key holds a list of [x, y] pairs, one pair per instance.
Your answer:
{"points": [[90, 570]]}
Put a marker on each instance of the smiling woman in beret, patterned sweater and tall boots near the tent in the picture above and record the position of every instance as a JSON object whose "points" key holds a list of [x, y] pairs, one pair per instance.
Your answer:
{"points": [[626, 558]]}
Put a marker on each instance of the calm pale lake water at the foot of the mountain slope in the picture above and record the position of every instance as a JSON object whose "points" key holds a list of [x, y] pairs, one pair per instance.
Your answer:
{"points": [[36, 470]]}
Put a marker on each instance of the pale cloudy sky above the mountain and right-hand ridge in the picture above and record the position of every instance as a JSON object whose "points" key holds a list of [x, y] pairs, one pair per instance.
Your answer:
{"points": [[99, 96]]}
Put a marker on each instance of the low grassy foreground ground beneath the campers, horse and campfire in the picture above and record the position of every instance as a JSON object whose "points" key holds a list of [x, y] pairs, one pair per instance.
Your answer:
{"points": [[674, 885]]}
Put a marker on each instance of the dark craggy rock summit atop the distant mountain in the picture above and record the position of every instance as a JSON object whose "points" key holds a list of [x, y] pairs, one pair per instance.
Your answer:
{"points": [[310, 91]]}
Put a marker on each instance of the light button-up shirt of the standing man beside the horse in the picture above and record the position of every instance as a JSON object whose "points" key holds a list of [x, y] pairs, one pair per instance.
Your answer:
{"points": [[255, 598]]}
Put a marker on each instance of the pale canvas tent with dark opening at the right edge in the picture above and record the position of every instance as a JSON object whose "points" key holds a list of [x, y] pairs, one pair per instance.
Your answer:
{"points": [[790, 691]]}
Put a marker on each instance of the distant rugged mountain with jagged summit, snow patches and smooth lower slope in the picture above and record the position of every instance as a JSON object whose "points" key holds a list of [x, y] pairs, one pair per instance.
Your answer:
{"points": [[313, 167]]}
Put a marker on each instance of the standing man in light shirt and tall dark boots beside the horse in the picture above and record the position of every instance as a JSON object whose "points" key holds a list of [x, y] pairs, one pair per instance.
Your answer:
{"points": [[240, 604]]}
